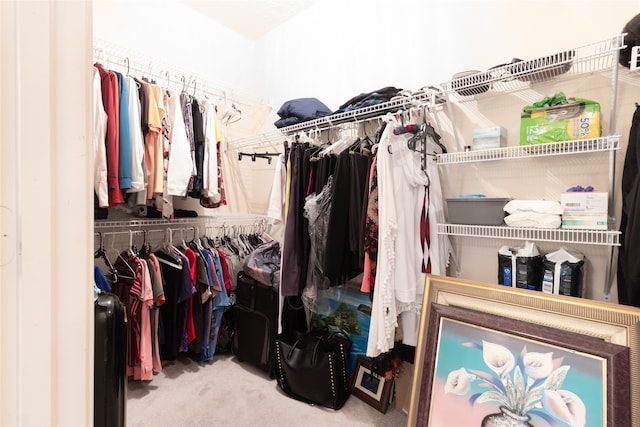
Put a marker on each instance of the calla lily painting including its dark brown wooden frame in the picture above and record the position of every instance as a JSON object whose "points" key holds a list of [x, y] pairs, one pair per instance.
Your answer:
{"points": [[487, 370]]}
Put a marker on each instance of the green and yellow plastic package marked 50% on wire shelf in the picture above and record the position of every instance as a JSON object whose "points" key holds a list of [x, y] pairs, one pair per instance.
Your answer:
{"points": [[577, 119]]}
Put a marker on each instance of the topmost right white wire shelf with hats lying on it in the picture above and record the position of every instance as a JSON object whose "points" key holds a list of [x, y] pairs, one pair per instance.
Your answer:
{"points": [[520, 75]]}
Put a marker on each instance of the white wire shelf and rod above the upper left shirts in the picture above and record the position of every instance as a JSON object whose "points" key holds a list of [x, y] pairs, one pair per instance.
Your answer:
{"points": [[126, 60]]}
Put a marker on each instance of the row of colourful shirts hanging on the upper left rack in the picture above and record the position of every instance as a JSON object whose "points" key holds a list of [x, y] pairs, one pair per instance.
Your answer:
{"points": [[151, 144]]}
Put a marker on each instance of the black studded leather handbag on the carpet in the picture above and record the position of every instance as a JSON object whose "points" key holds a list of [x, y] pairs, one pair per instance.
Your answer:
{"points": [[313, 367]]}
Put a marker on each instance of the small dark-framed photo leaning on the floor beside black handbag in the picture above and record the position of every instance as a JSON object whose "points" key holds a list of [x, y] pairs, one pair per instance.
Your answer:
{"points": [[369, 386]]}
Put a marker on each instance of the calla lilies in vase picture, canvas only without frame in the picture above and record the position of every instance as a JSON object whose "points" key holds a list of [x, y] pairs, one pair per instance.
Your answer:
{"points": [[483, 375]]}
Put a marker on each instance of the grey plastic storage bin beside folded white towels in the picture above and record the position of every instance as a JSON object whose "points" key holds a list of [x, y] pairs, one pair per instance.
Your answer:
{"points": [[476, 211]]}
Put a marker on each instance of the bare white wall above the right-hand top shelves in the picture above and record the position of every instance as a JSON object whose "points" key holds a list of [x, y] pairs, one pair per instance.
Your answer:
{"points": [[337, 49]]}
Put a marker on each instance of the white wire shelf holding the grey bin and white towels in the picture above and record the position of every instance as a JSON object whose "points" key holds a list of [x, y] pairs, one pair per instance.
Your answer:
{"points": [[557, 235]]}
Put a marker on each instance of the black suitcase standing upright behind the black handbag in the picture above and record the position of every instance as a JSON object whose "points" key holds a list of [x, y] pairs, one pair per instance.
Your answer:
{"points": [[255, 318]]}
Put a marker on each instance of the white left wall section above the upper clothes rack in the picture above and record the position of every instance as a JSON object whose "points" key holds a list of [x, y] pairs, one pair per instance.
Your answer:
{"points": [[173, 34]]}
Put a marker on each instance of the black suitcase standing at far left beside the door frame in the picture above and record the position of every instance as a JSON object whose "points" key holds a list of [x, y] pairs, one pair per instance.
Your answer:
{"points": [[110, 359]]}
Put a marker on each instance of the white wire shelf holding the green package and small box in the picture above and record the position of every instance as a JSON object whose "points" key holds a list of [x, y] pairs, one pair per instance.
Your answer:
{"points": [[592, 145]]}
